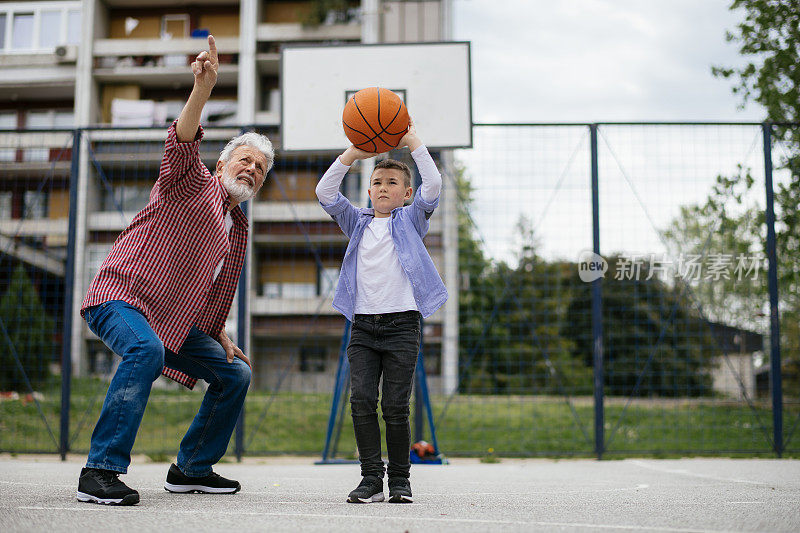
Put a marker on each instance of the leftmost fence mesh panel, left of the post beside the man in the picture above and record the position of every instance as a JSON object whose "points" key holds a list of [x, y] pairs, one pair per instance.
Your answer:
{"points": [[34, 221]]}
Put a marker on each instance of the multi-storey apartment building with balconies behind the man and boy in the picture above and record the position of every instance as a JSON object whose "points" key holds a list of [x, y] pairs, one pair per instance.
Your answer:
{"points": [[119, 68]]}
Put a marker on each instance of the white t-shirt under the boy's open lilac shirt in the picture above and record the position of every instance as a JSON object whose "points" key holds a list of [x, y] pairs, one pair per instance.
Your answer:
{"points": [[382, 285]]}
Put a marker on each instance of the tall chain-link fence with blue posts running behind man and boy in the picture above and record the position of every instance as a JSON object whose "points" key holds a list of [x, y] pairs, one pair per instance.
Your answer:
{"points": [[616, 293]]}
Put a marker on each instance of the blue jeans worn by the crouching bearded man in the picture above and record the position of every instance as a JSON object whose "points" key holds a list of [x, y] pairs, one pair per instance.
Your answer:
{"points": [[124, 329]]}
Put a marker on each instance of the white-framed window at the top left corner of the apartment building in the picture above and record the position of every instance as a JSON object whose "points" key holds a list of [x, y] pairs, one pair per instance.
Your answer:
{"points": [[39, 26]]}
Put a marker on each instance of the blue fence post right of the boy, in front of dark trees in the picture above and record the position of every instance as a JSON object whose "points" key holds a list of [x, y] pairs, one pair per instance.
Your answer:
{"points": [[597, 309]]}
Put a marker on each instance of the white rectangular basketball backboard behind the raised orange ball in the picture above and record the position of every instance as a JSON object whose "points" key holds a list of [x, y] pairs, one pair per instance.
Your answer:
{"points": [[432, 78]]}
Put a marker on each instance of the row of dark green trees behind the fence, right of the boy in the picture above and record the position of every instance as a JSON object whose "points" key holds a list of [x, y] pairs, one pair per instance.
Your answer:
{"points": [[525, 325]]}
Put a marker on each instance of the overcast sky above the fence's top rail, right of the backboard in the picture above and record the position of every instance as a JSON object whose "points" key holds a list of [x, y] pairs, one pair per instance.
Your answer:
{"points": [[599, 60]]}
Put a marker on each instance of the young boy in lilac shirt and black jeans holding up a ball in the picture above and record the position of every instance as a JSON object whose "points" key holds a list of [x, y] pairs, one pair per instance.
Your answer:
{"points": [[387, 281]]}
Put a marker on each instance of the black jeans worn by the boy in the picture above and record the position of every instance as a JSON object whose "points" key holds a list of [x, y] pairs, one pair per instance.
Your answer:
{"points": [[385, 344]]}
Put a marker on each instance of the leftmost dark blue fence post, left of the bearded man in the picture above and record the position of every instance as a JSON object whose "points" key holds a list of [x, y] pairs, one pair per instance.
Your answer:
{"points": [[69, 275]]}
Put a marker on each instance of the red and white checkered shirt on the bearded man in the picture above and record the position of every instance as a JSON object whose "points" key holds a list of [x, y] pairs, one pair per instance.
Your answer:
{"points": [[163, 263]]}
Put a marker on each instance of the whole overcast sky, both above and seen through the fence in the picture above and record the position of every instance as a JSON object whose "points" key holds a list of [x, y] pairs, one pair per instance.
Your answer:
{"points": [[596, 61]]}
